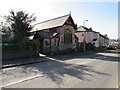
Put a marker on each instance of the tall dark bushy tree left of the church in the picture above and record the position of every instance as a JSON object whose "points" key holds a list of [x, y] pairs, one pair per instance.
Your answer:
{"points": [[20, 23]]}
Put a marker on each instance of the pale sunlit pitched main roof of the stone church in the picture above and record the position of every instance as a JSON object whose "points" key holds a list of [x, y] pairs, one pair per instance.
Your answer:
{"points": [[50, 23]]}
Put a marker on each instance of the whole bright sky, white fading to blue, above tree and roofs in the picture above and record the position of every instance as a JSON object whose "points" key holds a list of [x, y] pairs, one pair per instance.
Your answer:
{"points": [[101, 16]]}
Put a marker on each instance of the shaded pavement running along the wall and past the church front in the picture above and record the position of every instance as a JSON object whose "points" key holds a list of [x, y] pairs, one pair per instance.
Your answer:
{"points": [[43, 58]]}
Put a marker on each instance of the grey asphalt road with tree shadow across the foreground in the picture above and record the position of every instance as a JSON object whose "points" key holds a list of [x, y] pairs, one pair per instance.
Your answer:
{"points": [[97, 70]]}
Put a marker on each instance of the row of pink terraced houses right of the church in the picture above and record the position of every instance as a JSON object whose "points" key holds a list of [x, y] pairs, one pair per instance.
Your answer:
{"points": [[91, 40]]}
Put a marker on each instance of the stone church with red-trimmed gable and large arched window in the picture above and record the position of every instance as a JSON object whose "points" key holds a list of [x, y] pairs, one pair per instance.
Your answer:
{"points": [[55, 35]]}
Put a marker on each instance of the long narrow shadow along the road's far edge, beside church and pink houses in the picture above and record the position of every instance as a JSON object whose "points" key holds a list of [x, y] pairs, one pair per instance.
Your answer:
{"points": [[91, 55]]}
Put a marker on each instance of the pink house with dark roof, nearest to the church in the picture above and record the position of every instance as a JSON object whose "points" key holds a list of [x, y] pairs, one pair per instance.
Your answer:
{"points": [[87, 35]]}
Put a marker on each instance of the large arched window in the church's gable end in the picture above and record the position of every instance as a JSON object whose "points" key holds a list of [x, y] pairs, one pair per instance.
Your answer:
{"points": [[67, 37]]}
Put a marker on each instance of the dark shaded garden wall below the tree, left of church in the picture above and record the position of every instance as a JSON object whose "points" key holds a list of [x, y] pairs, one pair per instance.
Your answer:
{"points": [[17, 52]]}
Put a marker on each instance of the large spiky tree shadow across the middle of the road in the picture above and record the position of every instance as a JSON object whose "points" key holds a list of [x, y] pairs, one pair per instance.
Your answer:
{"points": [[56, 70]]}
